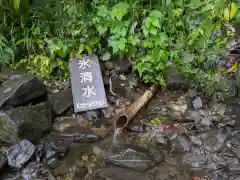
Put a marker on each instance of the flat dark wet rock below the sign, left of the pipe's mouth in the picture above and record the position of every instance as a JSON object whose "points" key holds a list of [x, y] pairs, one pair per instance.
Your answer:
{"points": [[78, 134]]}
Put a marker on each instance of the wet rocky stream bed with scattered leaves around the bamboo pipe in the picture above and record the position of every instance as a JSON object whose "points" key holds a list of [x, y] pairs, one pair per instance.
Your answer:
{"points": [[178, 135]]}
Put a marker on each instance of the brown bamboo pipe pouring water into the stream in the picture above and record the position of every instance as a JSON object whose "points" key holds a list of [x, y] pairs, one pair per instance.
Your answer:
{"points": [[124, 120]]}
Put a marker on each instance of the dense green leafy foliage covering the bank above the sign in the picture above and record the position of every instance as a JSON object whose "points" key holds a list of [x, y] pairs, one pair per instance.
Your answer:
{"points": [[155, 34]]}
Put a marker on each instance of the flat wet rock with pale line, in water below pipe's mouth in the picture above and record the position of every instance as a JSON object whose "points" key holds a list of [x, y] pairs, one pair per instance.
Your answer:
{"points": [[130, 157]]}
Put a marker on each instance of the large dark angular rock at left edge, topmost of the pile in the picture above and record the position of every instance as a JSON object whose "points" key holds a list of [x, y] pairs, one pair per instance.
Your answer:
{"points": [[20, 89]]}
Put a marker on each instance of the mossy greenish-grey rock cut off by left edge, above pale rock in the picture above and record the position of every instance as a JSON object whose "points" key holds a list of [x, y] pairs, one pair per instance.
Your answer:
{"points": [[8, 130]]}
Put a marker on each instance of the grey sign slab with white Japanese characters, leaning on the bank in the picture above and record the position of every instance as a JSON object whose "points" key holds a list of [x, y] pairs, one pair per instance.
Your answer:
{"points": [[87, 84]]}
